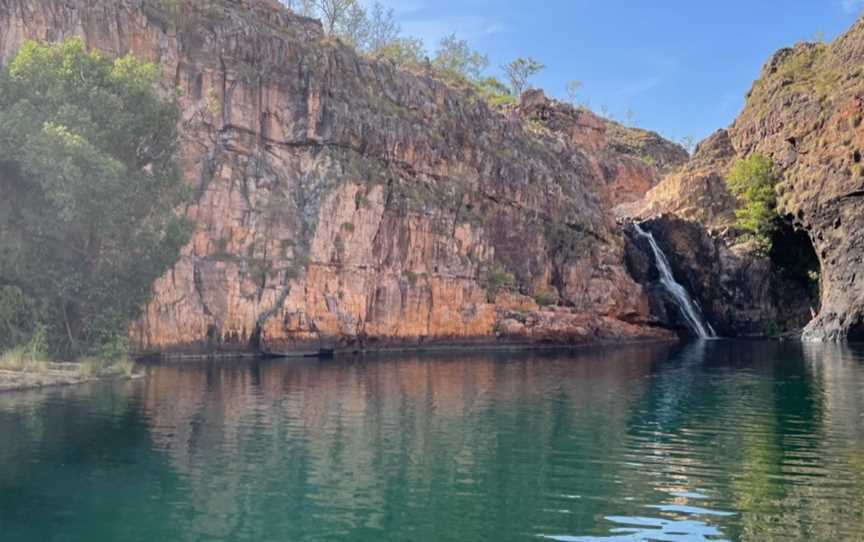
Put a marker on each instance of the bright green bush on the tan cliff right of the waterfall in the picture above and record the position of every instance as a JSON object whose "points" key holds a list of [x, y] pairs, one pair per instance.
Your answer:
{"points": [[752, 181]]}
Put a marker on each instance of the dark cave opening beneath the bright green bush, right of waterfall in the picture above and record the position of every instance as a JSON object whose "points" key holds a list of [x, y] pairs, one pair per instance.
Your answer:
{"points": [[793, 253]]}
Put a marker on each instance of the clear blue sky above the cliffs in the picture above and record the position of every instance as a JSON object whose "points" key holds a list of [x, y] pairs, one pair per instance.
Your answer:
{"points": [[681, 66]]}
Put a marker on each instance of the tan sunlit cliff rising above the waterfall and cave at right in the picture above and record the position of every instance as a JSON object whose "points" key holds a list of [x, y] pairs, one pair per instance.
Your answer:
{"points": [[805, 113]]}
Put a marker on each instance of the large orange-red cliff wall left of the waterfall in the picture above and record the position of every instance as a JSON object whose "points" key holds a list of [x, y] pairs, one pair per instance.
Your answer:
{"points": [[343, 203]]}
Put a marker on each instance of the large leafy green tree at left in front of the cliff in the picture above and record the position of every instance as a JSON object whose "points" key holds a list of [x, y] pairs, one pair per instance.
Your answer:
{"points": [[89, 183]]}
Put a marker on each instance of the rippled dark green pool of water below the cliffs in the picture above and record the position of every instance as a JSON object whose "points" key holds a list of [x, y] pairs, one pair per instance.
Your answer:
{"points": [[710, 441]]}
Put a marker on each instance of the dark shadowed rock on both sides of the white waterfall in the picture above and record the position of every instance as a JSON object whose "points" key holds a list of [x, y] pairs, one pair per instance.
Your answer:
{"points": [[740, 293]]}
